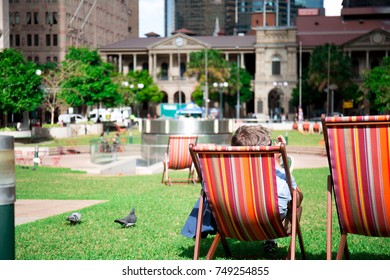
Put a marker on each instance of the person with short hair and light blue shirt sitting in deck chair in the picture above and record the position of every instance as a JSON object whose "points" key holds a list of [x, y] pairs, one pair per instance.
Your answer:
{"points": [[251, 136]]}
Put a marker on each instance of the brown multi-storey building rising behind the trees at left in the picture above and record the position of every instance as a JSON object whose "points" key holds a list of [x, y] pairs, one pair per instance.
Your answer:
{"points": [[44, 29]]}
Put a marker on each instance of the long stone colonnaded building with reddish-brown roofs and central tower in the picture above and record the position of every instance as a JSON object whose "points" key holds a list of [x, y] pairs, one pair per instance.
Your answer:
{"points": [[272, 56]]}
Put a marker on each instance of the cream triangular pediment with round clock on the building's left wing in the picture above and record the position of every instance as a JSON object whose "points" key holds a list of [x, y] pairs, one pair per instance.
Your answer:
{"points": [[178, 41]]}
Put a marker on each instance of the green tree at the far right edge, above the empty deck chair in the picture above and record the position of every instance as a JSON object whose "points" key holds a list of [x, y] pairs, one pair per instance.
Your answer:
{"points": [[377, 83]]}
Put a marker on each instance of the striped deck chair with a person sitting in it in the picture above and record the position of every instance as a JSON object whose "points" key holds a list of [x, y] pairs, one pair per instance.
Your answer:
{"points": [[239, 184]]}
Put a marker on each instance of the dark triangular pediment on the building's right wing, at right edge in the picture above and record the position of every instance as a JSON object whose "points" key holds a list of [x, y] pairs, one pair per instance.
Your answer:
{"points": [[376, 37]]}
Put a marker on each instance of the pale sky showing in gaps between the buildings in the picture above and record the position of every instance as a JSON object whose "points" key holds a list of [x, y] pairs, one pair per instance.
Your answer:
{"points": [[151, 15]]}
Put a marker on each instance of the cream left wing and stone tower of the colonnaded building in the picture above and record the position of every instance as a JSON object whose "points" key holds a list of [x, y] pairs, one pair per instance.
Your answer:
{"points": [[265, 56]]}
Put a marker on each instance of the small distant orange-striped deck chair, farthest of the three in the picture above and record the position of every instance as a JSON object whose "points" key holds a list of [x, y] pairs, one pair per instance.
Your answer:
{"points": [[177, 157]]}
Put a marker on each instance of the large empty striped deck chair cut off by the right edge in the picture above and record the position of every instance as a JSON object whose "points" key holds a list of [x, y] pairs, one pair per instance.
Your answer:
{"points": [[358, 150]]}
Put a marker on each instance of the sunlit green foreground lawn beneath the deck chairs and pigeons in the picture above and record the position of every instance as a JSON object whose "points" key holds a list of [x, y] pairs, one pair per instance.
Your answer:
{"points": [[161, 212]]}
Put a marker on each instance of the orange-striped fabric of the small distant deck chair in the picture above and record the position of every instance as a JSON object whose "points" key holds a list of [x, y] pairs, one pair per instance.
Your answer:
{"points": [[178, 154]]}
